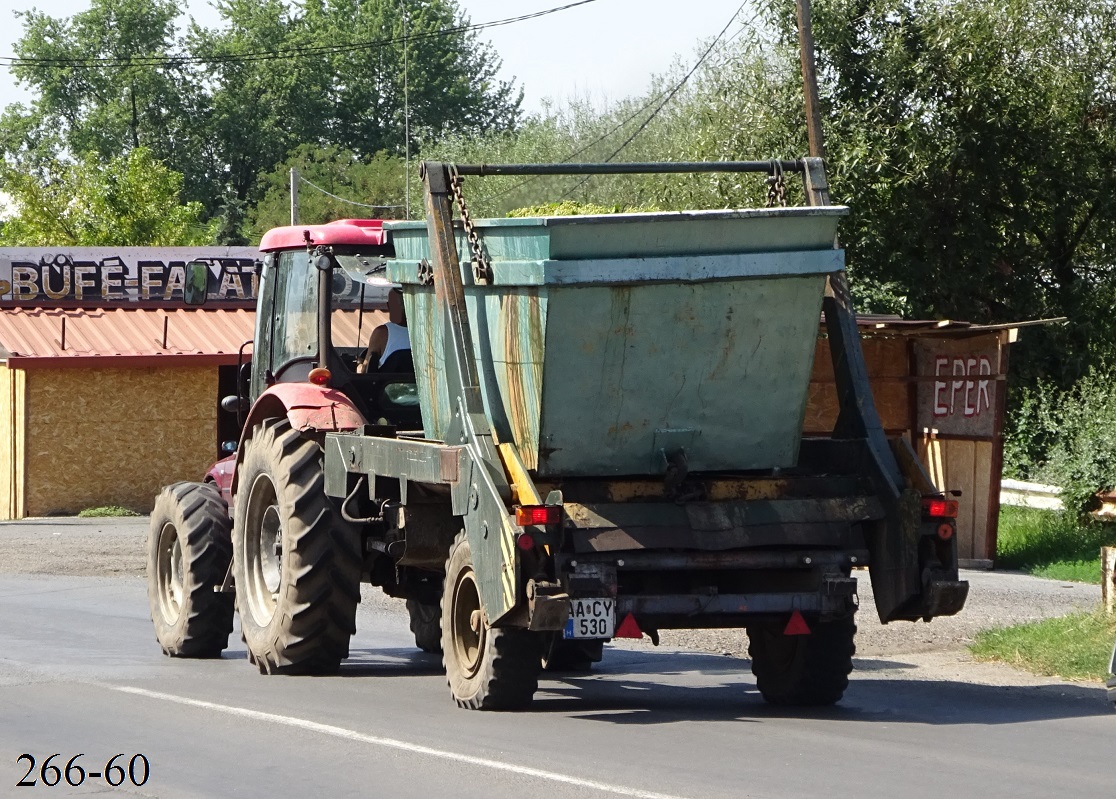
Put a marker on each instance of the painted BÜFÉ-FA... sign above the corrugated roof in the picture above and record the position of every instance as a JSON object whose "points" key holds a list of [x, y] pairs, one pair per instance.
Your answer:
{"points": [[99, 276]]}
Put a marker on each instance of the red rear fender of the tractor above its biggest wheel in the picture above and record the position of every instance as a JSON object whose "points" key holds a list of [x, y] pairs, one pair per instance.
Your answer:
{"points": [[310, 408]]}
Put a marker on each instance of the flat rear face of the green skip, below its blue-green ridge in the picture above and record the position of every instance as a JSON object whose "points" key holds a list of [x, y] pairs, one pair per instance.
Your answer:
{"points": [[723, 365]]}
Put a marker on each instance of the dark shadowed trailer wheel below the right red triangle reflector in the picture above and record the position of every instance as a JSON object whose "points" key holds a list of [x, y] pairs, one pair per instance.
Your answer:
{"points": [[803, 670]]}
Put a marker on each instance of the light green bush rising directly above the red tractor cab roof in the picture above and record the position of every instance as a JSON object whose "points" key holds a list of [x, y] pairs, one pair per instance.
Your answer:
{"points": [[377, 181]]}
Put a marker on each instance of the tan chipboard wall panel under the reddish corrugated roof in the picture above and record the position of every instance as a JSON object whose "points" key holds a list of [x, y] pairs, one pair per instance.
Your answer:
{"points": [[117, 437]]}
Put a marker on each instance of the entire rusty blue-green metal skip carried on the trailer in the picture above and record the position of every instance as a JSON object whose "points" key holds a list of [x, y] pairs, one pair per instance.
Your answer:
{"points": [[607, 342]]}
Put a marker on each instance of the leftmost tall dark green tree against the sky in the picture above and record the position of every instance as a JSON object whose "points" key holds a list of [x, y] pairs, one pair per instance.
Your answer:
{"points": [[99, 91]]}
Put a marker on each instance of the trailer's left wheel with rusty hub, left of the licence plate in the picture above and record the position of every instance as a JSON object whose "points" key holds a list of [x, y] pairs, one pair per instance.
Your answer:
{"points": [[487, 668]]}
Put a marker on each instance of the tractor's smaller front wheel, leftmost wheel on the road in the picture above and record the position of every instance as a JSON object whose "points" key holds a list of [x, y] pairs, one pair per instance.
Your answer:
{"points": [[189, 551]]}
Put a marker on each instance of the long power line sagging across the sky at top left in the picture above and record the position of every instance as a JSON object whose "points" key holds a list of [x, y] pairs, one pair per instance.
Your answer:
{"points": [[271, 55]]}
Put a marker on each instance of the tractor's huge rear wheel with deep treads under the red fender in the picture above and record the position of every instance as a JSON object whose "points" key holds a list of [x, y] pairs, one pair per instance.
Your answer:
{"points": [[296, 562]]}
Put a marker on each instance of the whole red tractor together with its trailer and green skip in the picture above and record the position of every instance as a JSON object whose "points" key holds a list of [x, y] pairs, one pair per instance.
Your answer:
{"points": [[602, 438]]}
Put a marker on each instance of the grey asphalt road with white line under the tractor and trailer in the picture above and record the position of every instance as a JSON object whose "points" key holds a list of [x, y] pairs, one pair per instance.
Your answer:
{"points": [[81, 673]]}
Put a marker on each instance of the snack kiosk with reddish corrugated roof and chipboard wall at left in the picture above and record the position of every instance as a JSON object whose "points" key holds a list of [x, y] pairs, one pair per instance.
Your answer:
{"points": [[104, 407]]}
